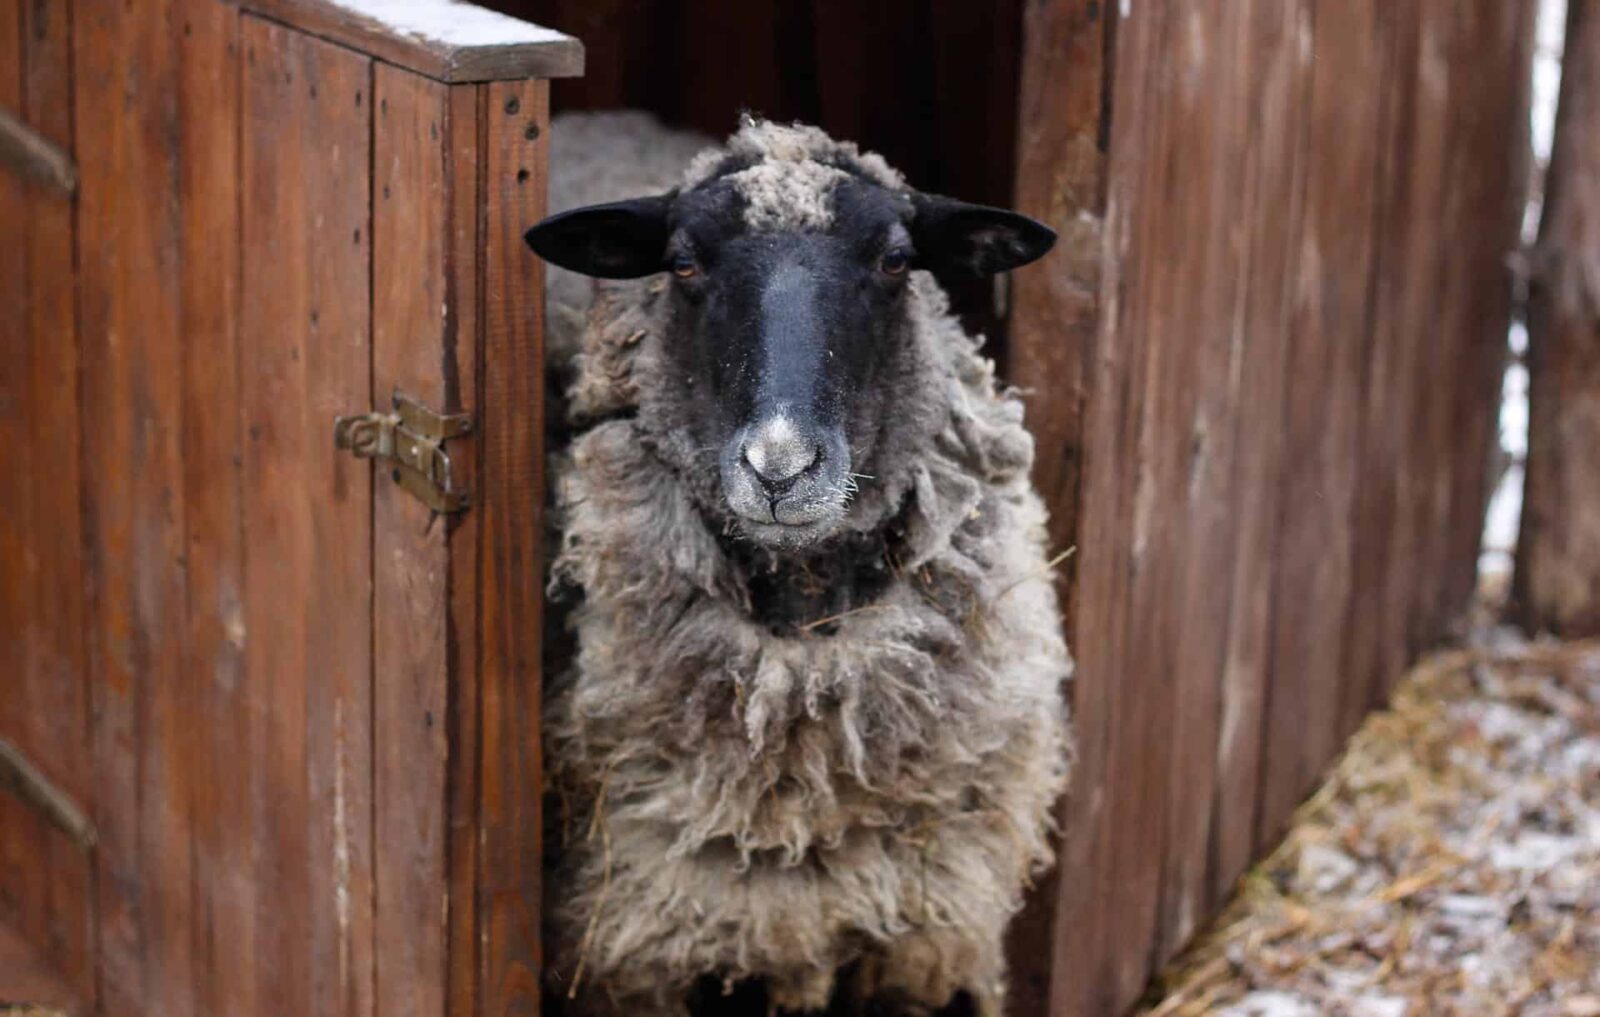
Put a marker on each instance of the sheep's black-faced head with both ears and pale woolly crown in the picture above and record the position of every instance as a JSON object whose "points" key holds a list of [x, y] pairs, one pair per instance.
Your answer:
{"points": [[790, 257]]}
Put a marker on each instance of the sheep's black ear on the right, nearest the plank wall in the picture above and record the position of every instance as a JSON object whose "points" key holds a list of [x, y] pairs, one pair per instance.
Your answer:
{"points": [[958, 237]]}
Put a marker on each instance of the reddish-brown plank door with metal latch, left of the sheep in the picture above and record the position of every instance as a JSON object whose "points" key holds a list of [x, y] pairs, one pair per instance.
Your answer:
{"points": [[295, 708]]}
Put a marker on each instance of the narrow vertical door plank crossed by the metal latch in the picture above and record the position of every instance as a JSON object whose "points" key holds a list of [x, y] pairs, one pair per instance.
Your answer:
{"points": [[412, 311]]}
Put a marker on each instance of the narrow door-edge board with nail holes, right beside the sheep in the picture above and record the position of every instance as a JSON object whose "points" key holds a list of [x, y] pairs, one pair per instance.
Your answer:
{"points": [[511, 568]]}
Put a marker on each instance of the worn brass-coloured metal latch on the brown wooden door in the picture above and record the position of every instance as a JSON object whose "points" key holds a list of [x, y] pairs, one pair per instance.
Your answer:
{"points": [[412, 439]]}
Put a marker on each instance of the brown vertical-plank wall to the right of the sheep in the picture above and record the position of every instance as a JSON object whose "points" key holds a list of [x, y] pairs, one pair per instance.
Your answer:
{"points": [[1265, 413]]}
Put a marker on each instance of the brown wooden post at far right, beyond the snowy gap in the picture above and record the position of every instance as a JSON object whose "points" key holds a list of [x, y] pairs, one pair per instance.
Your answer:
{"points": [[1558, 584]]}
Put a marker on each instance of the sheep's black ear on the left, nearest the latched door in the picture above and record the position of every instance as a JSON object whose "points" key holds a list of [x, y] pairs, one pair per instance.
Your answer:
{"points": [[617, 241]]}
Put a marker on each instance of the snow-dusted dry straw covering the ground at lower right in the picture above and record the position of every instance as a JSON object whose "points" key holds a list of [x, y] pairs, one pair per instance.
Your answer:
{"points": [[1450, 866]]}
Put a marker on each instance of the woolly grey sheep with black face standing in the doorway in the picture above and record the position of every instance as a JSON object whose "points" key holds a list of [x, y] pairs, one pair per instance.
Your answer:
{"points": [[815, 725]]}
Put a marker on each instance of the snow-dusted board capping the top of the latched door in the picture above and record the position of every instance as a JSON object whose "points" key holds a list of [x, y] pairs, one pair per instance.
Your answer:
{"points": [[442, 39]]}
